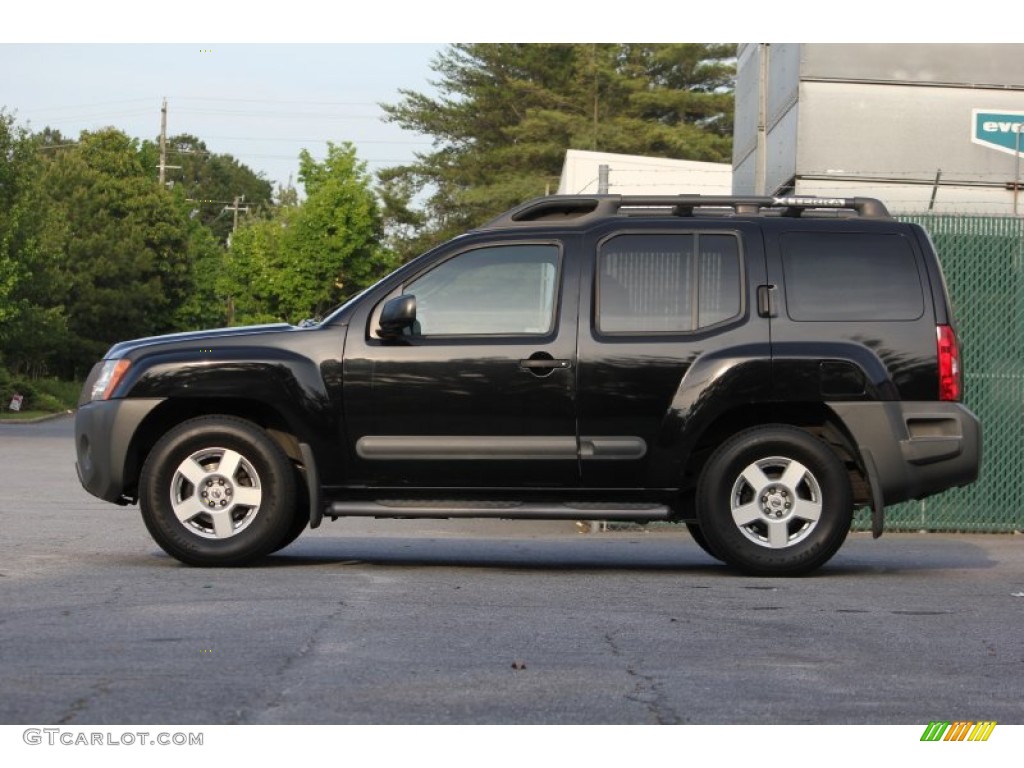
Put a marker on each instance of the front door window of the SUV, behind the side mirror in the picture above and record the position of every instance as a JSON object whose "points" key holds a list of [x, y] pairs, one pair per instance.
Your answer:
{"points": [[496, 291]]}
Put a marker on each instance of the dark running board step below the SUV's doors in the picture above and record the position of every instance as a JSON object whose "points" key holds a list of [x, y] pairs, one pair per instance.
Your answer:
{"points": [[508, 510]]}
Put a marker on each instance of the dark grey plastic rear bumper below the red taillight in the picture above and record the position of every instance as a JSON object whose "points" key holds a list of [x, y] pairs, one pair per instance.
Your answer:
{"points": [[914, 450]]}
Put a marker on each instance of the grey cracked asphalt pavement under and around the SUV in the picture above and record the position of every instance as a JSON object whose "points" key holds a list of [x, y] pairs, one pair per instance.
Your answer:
{"points": [[366, 622]]}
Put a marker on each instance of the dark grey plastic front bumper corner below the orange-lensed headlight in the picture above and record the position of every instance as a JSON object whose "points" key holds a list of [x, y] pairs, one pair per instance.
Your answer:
{"points": [[104, 432]]}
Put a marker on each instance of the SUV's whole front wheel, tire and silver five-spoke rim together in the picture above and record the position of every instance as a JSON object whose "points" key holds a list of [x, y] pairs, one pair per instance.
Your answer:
{"points": [[219, 492]]}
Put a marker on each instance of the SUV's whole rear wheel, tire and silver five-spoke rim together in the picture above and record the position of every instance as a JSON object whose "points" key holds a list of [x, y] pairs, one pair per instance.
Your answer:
{"points": [[775, 501]]}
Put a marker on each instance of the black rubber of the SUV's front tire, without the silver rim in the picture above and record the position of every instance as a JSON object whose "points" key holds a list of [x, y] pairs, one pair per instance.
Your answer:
{"points": [[273, 520]]}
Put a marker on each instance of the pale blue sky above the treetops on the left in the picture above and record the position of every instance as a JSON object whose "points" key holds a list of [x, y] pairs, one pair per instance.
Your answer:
{"points": [[262, 104]]}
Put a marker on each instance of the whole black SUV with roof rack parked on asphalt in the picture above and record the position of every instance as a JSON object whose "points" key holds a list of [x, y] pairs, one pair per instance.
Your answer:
{"points": [[755, 368]]}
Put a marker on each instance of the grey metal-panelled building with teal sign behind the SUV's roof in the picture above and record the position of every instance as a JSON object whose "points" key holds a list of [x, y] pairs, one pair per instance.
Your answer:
{"points": [[898, 122]]}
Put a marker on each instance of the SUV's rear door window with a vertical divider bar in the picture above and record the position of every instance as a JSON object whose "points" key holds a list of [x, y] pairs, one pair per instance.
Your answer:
{"points": [[667, 283]]}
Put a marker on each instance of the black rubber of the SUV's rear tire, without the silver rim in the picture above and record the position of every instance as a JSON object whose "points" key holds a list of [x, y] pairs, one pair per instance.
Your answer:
{"points": [[724, 468]]}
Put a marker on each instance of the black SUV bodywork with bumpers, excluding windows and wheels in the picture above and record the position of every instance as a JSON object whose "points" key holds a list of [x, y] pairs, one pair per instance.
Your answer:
{"points": [[617, 417]]}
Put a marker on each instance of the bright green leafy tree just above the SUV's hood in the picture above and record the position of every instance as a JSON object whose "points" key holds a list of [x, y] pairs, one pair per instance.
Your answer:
{"points": [[311, 255]]}
